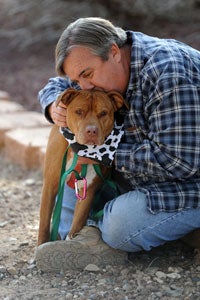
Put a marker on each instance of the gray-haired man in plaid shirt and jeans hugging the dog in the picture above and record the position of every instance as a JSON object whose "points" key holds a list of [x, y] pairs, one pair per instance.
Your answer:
{"points": [[158, 159]]}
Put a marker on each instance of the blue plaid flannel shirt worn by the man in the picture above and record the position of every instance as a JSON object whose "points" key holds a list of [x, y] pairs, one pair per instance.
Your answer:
{"points": [[160, 151]]}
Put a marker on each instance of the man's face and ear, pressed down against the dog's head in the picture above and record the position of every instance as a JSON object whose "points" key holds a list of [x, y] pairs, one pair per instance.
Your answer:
{"points": [[91, 72]]}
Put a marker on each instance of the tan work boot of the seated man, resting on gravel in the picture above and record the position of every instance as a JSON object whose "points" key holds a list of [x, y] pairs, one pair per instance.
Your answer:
{"points": [[86, 248]]}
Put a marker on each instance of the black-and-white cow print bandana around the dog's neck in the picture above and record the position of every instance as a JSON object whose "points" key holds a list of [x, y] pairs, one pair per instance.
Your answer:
{"points": [[103, 154]]}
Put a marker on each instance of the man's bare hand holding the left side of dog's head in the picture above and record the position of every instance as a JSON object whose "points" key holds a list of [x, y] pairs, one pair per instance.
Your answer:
{"points": [[58, 114]]}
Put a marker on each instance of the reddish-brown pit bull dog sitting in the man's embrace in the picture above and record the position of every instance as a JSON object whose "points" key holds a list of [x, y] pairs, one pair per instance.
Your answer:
{"points": [[90, 117]]}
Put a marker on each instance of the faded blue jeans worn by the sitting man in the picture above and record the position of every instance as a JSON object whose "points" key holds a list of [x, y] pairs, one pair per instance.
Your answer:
{"points": [[128, 225]]}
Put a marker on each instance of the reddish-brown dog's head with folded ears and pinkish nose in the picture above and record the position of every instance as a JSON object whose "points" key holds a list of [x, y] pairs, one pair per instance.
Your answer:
{"points": [[90, 114]]}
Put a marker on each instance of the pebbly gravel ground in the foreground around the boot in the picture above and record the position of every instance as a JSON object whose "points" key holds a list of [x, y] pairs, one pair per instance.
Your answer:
{"points": [[167, 272]]}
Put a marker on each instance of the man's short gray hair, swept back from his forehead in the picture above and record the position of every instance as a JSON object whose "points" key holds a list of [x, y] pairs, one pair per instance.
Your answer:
{"points": [[94, 33]]}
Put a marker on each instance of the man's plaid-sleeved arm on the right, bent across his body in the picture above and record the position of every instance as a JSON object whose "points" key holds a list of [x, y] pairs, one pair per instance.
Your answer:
{"points": [[170, 146]]}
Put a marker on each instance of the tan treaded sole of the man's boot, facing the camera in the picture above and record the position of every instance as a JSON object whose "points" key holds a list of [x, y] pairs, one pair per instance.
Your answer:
{"points": [[62, 255]]}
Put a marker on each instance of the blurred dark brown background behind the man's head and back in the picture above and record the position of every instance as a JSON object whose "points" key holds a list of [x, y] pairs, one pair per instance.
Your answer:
{"points": [[29, 31]]}
